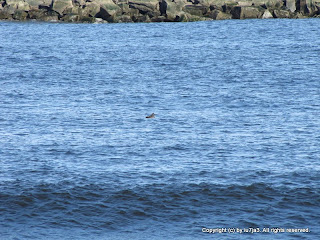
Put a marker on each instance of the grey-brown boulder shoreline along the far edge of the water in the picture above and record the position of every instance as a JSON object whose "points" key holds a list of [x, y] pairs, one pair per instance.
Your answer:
{"points": [[115, 11]]}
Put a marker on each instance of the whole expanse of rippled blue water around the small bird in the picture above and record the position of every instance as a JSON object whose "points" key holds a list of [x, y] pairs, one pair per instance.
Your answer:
{"points": [[234, 144]]}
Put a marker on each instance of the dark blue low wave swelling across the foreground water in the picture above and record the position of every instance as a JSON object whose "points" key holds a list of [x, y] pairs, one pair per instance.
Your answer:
{"points": [[112, 207]]}
